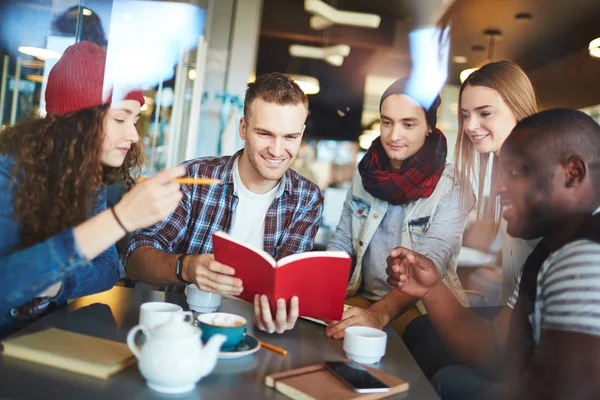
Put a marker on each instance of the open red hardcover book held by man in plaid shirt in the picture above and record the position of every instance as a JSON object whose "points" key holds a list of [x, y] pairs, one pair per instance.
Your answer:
{"points": [[318, 278]]}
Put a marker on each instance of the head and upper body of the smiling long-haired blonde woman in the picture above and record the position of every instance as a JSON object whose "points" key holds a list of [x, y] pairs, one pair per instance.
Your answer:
{"points": [[491, 102]]}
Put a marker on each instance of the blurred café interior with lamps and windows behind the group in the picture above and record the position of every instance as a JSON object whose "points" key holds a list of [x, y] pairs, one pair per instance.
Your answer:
{"points": [[196, 57]]}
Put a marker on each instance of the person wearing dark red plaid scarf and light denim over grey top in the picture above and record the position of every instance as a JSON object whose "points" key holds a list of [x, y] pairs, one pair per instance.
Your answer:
{"points": [[402, 194]]}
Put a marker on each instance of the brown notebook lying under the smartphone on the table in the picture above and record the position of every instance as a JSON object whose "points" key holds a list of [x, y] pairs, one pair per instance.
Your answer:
{"points": [[315, 382]]}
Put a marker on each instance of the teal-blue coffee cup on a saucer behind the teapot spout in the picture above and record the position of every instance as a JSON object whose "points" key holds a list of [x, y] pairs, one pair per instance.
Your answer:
{"points": [[231, 325]]}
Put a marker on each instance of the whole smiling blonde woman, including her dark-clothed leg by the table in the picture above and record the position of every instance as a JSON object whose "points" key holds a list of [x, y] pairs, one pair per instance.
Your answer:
{"points": [[491, 102]]}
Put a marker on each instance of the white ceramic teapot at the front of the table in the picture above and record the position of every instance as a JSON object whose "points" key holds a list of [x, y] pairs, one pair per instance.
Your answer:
{"points": [[173, 358]]}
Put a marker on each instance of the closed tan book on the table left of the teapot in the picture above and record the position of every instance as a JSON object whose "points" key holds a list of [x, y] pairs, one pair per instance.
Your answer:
{"points": [[71, 351]]}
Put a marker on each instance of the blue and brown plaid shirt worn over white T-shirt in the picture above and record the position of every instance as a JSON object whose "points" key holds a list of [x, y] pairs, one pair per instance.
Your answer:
{"points": [[291, 222]]}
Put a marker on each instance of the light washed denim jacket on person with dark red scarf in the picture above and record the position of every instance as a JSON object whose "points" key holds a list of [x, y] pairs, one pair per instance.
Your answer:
{"points": [[363, 213]]}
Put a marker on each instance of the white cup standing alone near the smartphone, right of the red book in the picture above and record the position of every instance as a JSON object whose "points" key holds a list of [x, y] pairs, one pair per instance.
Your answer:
{"points": [[364, 345]]}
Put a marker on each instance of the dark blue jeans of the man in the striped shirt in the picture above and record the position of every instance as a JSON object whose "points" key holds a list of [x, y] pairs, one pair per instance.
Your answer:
{"points": [[459, 382]]}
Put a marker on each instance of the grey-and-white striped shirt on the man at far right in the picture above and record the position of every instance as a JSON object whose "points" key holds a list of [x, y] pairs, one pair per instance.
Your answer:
{"points": [[568, 291]]}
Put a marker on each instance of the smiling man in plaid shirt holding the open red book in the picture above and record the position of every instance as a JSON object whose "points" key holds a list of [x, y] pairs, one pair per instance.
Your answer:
{"points": [[260, 201]]}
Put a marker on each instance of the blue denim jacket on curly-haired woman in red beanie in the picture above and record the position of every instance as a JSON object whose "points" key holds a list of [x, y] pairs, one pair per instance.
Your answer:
{"points": [[25, 273]]}
